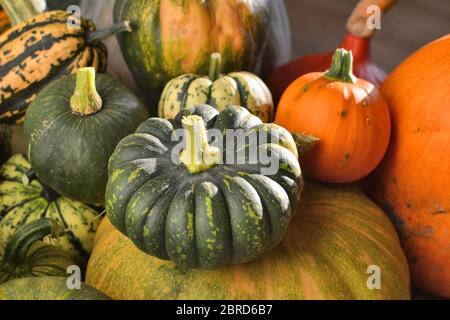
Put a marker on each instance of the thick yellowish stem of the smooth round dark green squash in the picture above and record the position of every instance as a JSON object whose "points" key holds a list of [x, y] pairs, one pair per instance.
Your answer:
{"points": [[86, 100]]}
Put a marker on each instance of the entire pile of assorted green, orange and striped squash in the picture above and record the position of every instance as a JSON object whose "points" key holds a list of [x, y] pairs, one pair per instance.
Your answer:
{"points": [[100, 188]]}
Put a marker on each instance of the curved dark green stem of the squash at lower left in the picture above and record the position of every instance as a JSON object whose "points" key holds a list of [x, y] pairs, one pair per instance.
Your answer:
{"points": [[14, 261]]}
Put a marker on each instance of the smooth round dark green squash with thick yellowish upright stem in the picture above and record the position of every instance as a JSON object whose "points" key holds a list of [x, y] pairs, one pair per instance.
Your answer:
{"points": [[68, 150]]}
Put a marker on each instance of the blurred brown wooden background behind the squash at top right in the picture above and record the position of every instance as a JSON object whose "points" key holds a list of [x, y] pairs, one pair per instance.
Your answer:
{"points": [[319, 25]]}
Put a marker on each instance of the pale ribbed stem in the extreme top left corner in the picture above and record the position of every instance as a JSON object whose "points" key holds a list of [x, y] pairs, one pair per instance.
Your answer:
{"points": [[20, 10]]}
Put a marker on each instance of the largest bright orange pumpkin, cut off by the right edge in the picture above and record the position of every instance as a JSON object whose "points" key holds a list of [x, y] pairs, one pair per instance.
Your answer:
{"points": [[413, 181]]}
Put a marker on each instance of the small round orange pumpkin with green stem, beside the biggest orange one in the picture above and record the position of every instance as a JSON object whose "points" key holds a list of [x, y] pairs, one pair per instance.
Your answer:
{"points": [[347, 114]]}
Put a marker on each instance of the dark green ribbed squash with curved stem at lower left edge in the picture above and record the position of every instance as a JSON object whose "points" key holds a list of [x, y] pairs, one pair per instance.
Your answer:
{"points": [[25, 255]]}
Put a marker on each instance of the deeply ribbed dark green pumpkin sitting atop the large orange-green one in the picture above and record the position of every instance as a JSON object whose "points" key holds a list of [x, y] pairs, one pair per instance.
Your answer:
{"points": [[217, 215]]}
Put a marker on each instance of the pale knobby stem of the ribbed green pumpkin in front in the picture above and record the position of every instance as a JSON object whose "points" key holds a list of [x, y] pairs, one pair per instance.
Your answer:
{"points": [[198, 155]]}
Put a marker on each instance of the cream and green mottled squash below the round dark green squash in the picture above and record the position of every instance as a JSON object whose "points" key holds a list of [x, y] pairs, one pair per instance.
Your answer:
{"points": [[23, 201]]}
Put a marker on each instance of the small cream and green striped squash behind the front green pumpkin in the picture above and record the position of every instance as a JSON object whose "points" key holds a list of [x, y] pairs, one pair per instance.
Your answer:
{"points": [[237, 88]]}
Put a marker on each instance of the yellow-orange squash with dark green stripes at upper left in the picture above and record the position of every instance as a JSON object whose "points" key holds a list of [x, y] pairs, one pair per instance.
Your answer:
{"points": [[42, 49]]}
